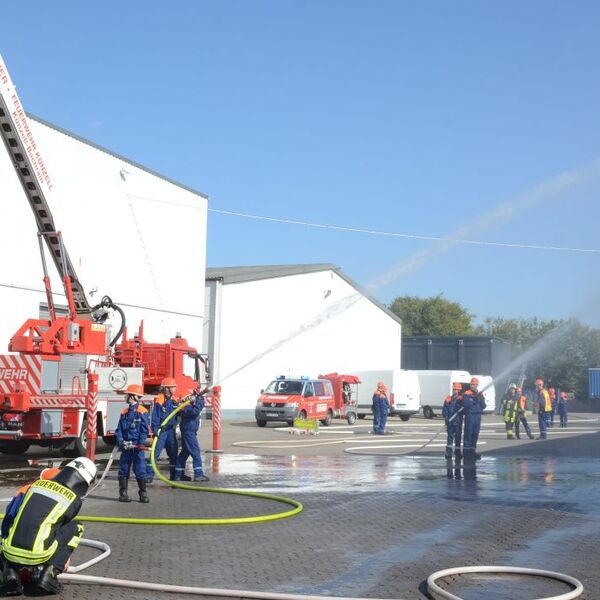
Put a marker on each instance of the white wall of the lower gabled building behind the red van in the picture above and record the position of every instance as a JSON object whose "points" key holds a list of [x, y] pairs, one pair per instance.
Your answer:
{"points": [[308, 324]]}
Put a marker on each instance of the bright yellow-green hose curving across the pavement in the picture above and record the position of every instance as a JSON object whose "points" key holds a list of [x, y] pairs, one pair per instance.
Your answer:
{"points": [[230, 521]]}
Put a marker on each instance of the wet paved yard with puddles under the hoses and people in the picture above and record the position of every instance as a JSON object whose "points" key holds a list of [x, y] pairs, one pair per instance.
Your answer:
{"points": [[376, 522]]}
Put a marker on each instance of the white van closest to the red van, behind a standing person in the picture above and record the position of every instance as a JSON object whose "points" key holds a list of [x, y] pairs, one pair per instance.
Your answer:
{"points": [[403, 392]]}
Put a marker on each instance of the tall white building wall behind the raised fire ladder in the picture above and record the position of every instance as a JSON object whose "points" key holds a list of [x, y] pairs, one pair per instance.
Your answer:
{"points": [[131, 234]]}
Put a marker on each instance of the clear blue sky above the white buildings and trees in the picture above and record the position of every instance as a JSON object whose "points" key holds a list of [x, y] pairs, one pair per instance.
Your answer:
{"points": [[410, 117]]}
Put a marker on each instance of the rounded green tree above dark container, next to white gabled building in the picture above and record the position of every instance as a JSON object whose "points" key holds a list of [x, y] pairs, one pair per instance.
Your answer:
{"points": [[432, 316]]}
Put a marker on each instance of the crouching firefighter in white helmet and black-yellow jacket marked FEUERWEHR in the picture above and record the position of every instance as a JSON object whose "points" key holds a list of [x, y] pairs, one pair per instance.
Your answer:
{"points": [[39, 531]]}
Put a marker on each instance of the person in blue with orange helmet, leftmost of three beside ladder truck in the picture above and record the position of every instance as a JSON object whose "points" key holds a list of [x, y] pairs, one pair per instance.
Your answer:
{"points": [[131, 435]]}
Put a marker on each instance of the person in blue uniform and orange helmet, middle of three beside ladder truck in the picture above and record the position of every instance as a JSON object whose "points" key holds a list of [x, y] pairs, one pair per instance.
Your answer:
{"points": [[164, 404]]}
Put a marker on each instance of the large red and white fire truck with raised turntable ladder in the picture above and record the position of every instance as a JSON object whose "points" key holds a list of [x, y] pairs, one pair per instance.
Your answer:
{"points": [[59, 385]]}
